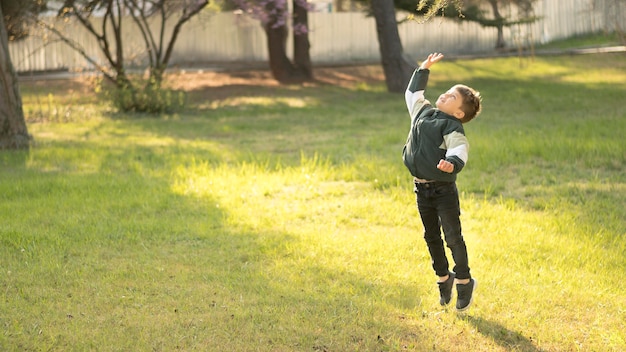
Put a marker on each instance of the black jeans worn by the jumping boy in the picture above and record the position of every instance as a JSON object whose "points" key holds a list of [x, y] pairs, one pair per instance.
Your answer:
{"points": [[438, 205]]}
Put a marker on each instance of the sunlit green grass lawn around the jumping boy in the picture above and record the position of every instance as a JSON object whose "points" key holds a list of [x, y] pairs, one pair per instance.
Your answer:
{"points": [[282, 219]]}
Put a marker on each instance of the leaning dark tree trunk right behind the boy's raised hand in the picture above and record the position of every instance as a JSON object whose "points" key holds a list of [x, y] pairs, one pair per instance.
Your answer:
{"points": [[396, 67]]}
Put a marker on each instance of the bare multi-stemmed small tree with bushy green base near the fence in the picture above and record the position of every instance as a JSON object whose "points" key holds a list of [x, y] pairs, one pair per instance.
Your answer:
{"points": [[110, 38]]}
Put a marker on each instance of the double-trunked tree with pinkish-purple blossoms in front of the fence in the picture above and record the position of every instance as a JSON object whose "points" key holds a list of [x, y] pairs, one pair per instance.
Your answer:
{"points": [[273, 15]]}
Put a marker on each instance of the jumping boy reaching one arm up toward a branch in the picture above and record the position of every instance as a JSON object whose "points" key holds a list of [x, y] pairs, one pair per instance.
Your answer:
{"points": [[435, 151]]}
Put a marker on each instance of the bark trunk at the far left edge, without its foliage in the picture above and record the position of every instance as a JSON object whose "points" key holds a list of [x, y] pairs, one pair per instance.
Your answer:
{"points": [[13, 131]]}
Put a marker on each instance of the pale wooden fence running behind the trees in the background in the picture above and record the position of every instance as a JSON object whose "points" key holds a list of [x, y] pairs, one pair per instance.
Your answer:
{"points": [[336, 38]]}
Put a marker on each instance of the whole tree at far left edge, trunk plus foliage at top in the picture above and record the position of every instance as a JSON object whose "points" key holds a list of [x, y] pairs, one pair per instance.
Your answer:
{"points": [[13, 130]]}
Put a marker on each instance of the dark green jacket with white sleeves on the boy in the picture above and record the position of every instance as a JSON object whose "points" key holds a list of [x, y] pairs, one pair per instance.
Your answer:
{"points": [[434, 135]]}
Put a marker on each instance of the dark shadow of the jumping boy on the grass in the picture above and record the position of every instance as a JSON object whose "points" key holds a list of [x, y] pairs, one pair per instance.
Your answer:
{"points": [[509, 339]]}
